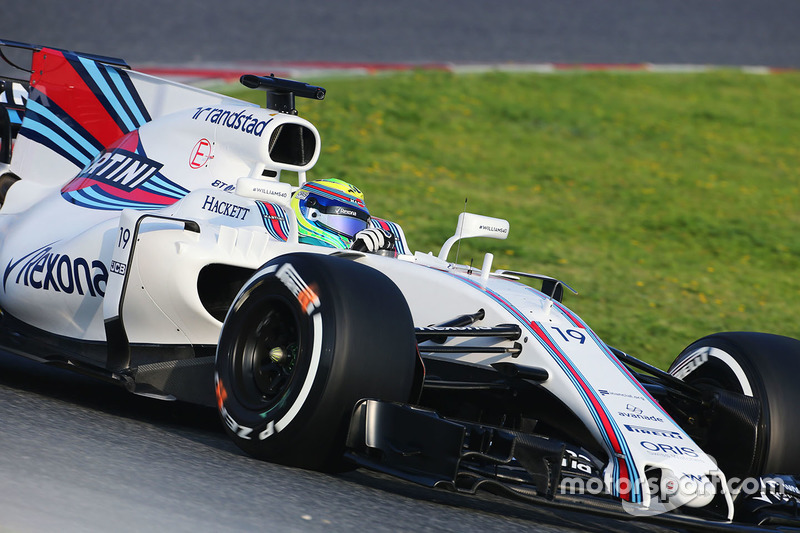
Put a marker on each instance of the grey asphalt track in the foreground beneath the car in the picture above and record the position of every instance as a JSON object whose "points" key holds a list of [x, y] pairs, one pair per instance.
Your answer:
{"points": [[80, 455]]}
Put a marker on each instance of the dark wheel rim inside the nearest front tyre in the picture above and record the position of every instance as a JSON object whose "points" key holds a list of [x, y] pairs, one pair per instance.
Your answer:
{"points": [[266, 360]]}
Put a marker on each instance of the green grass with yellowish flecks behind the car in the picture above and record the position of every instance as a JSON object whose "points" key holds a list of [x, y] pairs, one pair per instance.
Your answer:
{"points": [[670, 202]]}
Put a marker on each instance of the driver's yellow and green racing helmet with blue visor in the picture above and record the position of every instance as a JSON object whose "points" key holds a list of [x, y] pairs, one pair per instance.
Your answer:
{"points": [[329, 212]]}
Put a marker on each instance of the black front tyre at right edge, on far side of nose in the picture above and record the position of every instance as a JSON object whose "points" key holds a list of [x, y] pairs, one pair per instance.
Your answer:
{"points": [[758, 366]]}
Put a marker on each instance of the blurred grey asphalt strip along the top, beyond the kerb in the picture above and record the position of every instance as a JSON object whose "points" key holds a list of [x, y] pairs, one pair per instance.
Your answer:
{"points": [[720, 32]]}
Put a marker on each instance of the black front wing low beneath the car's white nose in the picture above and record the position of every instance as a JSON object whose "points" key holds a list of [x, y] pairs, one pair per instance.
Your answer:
{"points": [[418, 445]]}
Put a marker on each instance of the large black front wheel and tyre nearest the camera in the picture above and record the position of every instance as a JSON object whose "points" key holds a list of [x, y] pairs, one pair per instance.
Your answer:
{"points": [[306, 338]]}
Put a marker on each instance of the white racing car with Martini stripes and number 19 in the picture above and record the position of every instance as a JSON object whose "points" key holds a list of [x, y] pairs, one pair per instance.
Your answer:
{"points": [[147, 238]]}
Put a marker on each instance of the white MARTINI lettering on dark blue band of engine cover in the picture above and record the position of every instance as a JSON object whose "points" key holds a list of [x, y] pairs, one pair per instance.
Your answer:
{"points": [[122, 169]]}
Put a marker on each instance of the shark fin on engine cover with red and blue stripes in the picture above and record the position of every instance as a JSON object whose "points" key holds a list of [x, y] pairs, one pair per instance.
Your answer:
{"points": [[78, 105]]}
